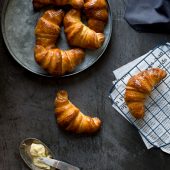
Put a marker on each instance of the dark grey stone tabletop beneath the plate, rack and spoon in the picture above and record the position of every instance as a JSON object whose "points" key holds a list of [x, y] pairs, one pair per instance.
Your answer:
{"points": [[26, 108]]}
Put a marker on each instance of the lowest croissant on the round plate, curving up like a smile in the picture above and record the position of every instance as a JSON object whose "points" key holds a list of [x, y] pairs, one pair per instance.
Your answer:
{"points": [[58, 62]]}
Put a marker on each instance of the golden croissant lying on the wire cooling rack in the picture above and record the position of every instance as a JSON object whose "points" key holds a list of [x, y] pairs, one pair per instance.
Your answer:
{"points": [[139, 87]]}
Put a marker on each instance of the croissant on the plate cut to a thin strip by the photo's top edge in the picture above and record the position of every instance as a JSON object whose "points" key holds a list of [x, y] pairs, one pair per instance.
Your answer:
{"points": [[41, 3]]}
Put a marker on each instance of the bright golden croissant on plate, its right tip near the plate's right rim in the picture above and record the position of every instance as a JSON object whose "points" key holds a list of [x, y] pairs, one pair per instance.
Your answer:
{"points": [[80, 35]]}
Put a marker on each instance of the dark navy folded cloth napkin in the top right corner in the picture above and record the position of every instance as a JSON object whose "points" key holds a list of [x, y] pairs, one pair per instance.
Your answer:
{"points": [[148, 15]]}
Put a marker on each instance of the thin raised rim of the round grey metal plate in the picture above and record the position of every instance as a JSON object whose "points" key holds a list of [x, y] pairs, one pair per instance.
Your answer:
{"points": [[5, 5]]}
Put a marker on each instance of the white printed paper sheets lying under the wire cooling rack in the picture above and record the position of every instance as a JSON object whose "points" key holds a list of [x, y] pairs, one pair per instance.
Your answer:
{"points": [[154, 129]]}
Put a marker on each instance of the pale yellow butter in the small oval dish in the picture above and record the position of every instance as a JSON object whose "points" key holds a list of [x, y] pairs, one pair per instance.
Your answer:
{"points": [[37, 151]]}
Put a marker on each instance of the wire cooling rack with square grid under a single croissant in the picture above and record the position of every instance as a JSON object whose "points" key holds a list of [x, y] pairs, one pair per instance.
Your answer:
{"points": [[155, 126]]}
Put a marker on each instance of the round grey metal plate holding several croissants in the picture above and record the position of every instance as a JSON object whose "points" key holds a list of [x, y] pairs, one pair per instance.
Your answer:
{"points": [[18, 22]]}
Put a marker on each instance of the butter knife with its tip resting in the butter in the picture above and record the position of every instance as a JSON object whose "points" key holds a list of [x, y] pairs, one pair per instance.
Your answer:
{"points": [[58, 164]]}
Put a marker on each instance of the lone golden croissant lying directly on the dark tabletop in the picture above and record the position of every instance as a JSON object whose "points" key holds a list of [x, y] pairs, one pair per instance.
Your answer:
{"points": [[71, 118]]}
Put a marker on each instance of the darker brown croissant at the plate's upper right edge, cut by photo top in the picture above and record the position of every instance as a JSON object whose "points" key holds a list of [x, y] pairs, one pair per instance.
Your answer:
{"points": [[97, 13]]}
